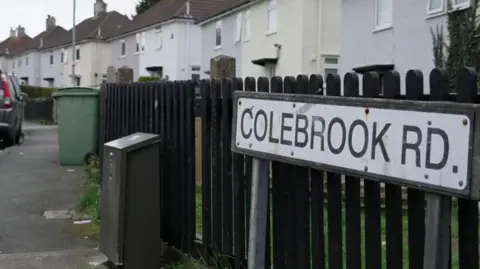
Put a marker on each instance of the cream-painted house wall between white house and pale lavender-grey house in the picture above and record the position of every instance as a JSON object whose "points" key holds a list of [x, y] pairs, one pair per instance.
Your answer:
{"points": [[286, 37]]}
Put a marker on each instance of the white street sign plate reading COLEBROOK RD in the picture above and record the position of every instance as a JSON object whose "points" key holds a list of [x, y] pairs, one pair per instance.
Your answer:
{"points": [[420, 147]]}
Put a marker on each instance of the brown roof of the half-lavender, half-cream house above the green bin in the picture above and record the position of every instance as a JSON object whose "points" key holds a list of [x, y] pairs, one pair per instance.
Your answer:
{"points": [[110, 24]]}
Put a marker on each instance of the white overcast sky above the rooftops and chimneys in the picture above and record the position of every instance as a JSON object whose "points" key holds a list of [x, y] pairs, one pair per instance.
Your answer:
{"points": [[31, 14]]}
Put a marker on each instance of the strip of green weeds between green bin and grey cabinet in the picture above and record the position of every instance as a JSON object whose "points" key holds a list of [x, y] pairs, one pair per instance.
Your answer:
{"points": [[89, 203]]}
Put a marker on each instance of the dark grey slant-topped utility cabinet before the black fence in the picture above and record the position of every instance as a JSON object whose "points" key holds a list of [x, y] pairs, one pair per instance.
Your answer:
{"points": [[130, 202]]}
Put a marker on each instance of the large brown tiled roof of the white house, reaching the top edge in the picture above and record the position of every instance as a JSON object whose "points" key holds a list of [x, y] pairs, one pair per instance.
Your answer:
{"points": [[166, 10]]}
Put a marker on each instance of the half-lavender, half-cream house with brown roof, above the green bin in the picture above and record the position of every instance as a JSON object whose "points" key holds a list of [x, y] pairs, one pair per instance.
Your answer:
{"points": [[91, 53]]}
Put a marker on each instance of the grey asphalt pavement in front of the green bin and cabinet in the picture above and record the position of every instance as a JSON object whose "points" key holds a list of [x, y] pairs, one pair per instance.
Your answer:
{"points": [[31, 184]]}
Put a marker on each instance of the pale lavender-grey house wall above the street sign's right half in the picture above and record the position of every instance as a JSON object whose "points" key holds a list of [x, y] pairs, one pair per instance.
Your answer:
{"points": [[384, 35]]}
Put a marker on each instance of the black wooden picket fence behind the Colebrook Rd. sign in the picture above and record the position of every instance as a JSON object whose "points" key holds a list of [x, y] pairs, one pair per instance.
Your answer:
{"points": [[318, 219]]}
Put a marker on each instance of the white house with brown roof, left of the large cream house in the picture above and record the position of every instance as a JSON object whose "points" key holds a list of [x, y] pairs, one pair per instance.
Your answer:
{"points": [[164, 41]]}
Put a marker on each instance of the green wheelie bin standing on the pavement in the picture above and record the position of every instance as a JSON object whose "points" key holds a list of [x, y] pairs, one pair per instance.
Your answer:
{"points": [[77, 118]]}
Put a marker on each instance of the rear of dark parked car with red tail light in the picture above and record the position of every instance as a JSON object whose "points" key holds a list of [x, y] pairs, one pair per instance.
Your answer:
{"points": [[12, 104]]}
